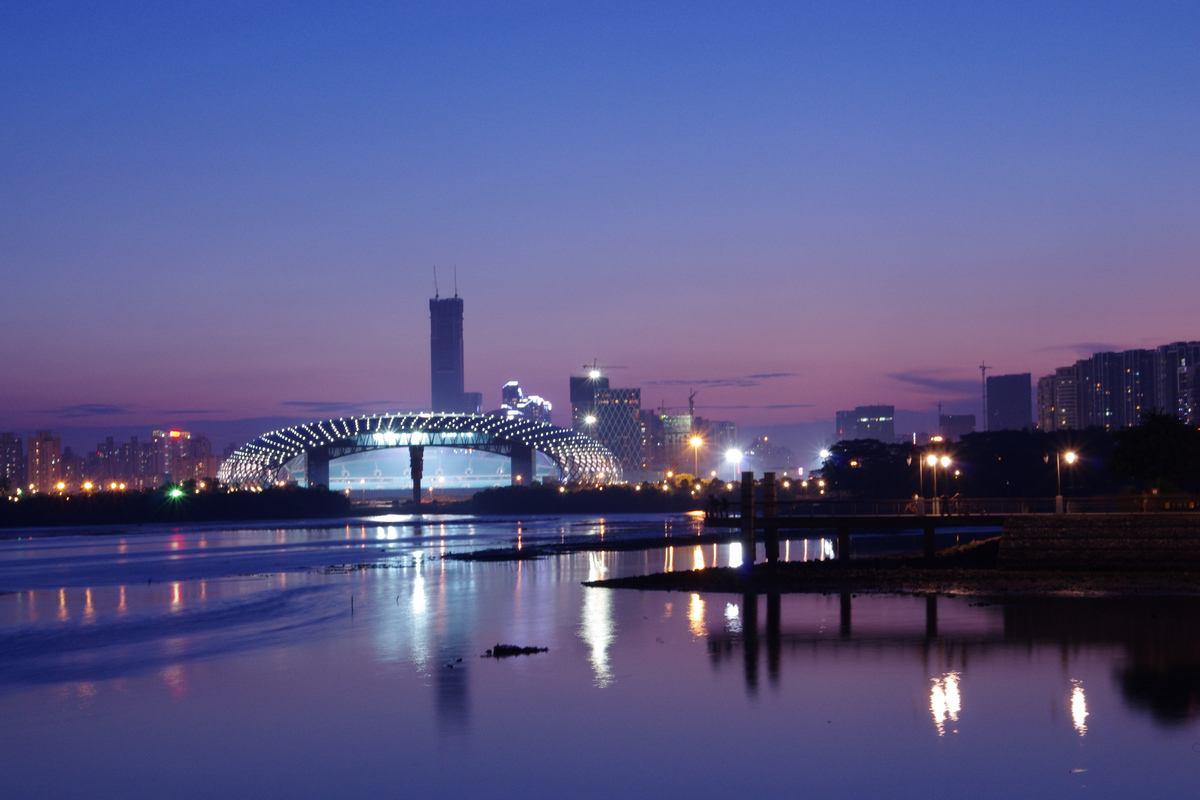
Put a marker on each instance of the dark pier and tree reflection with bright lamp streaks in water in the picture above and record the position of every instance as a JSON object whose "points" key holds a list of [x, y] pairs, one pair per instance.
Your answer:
{"points": [[1159, 672]]}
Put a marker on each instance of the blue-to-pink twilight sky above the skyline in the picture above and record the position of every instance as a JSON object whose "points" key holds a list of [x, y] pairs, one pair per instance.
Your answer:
{"points": [[213, 213]]}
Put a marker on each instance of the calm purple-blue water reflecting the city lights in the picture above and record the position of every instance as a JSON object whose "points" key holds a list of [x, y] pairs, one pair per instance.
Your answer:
{"points": [[221, 663]]}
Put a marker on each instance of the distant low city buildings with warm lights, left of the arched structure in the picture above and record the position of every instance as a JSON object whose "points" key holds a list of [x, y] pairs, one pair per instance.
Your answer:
{"points": [[44, 465]]}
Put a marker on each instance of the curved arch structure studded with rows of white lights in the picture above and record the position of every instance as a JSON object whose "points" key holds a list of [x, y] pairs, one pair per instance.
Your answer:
{"points": [[313, 446]]}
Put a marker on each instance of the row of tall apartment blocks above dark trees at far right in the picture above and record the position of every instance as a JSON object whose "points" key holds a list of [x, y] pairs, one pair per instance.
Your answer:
{"points": [[1118, 390]]}
